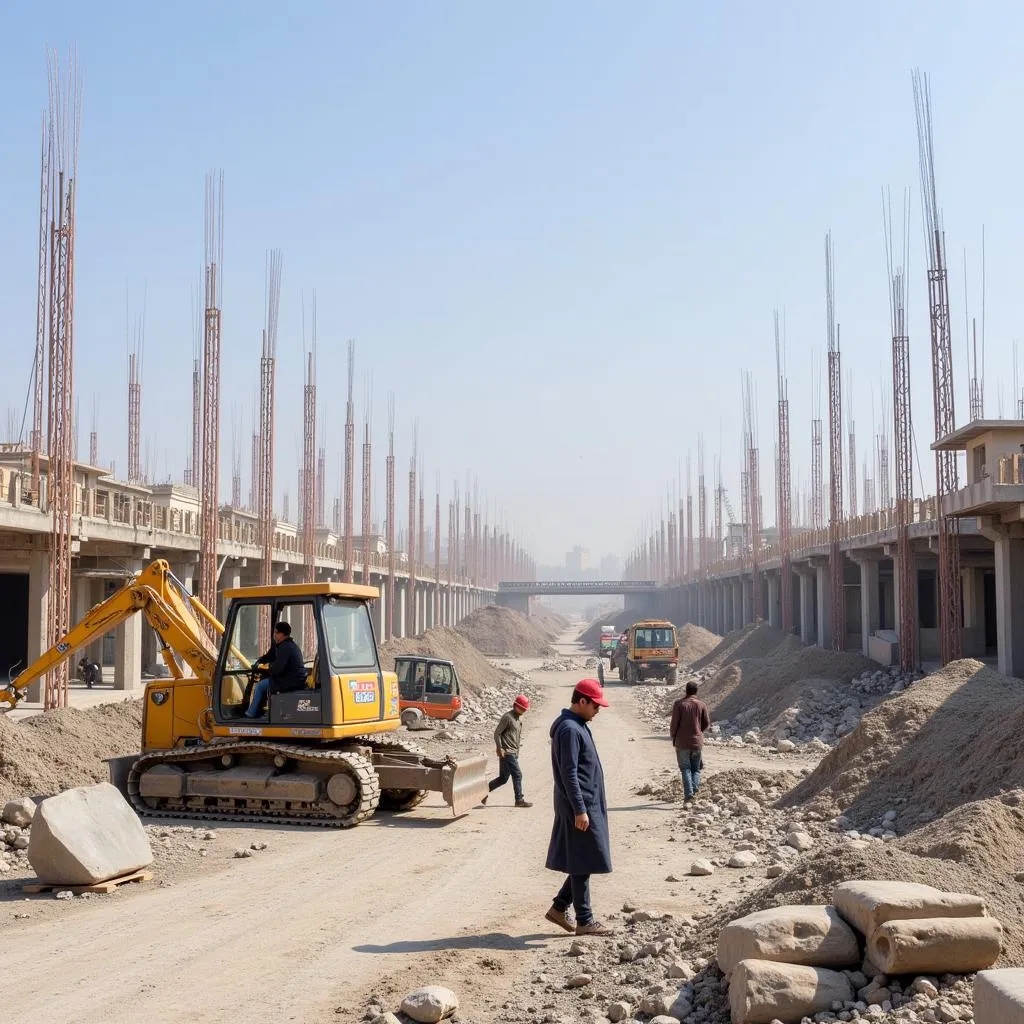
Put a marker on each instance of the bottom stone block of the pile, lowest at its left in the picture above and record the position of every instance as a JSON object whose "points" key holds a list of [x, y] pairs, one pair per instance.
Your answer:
{"points": [[761, 992]]}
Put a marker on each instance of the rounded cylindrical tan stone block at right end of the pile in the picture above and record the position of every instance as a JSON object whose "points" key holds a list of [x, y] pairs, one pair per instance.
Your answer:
{"points": [[936, 946]]}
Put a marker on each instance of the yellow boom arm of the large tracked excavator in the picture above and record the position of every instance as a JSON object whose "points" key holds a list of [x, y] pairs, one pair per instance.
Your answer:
{"points": [[167, 608]]}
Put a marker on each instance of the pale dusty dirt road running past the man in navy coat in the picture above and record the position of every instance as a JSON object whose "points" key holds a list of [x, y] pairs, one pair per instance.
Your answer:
{"points": [[308, 930]]}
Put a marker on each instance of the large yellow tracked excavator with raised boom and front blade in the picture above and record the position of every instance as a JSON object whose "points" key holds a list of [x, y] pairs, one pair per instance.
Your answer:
{"points": [[323, 755]]}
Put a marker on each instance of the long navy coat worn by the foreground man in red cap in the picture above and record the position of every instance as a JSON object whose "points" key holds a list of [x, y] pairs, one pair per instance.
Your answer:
{"points": [[579, 789]]}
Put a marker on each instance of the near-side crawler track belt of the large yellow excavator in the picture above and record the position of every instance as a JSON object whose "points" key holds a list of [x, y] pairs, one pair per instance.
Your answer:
{"points": [[324, 814]]}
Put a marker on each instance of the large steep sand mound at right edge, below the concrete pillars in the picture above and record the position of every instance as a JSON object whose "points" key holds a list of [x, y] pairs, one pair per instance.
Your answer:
{"points": [[955, 737]]}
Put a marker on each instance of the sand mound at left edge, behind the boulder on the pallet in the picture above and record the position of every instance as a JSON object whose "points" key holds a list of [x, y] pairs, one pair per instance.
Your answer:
{"points": [[49, 753]]}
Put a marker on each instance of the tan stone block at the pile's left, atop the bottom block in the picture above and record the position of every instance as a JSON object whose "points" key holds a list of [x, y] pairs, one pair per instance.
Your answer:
{"points": [[816, 936]]}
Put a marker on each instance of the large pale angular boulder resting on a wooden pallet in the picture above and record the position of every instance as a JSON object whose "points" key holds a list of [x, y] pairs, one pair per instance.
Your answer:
{"points": [[86, 836]]}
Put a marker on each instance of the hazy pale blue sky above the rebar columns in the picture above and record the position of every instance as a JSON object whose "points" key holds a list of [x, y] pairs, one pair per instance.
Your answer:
{"points": [[557, 231]]}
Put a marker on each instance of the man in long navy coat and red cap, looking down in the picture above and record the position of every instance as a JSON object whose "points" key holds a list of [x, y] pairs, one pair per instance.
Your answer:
{"points": [[579, 845]]}
